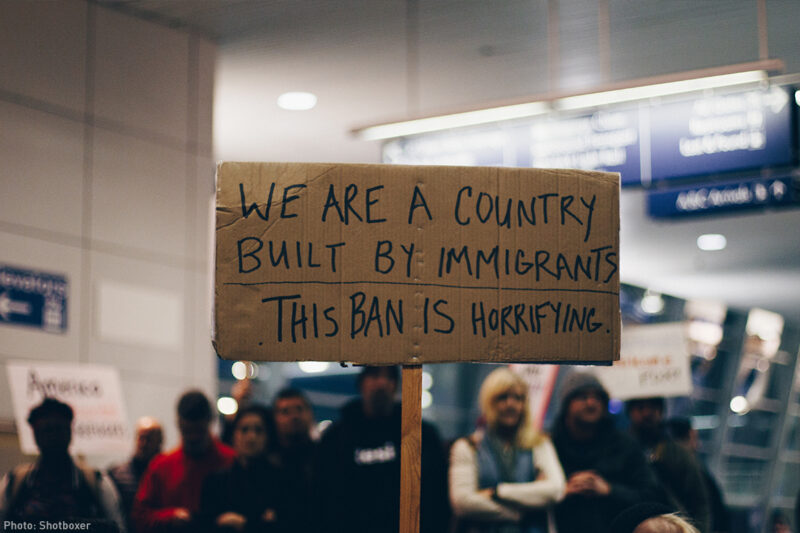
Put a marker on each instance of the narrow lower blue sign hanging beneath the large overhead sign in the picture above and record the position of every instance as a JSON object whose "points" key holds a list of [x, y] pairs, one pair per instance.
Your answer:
{"points": [[722, 197]]}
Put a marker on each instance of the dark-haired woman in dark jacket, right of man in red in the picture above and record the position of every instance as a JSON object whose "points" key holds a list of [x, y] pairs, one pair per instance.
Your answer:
{"points": [[246, 497]]}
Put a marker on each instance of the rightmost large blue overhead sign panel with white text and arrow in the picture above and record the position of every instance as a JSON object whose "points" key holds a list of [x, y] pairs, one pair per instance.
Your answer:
{"points": [[721, 133]]}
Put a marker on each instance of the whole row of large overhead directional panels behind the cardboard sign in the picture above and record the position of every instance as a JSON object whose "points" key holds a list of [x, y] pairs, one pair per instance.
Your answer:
{"points": [[646, 142]]}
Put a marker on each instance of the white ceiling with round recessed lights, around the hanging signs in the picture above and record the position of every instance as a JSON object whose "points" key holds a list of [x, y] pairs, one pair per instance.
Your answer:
{"points": [[372, 60]]}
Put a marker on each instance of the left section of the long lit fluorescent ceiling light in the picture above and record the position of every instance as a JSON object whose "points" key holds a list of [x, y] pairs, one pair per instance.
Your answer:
{"points": [[456, 120]]}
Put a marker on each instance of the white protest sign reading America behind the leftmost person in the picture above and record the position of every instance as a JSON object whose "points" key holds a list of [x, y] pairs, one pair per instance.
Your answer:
{"points": [[100, 425]]}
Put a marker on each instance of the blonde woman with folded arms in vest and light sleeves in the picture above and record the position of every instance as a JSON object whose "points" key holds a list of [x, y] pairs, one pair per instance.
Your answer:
{"points": [[505, 479]]}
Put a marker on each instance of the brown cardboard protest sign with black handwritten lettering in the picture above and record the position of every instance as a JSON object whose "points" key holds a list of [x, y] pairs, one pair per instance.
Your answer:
{"points": [[390, 264]]}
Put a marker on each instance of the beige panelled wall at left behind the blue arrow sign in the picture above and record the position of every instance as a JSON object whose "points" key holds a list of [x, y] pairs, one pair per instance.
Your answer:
{"points": [[107, 179]]}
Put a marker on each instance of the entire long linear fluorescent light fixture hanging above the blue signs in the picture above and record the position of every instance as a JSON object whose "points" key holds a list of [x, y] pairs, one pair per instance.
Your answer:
{"points": [[743, 74]]}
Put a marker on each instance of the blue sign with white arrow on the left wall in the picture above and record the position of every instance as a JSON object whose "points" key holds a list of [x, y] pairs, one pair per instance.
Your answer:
{"points": [[34, 299]]}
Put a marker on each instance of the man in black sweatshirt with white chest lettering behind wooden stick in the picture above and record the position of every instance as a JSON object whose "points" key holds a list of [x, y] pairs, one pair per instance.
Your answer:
{"points": [[359, 464]]}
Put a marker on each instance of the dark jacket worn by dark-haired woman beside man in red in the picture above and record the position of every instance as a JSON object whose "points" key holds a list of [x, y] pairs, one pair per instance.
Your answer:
{"points": [[249, 491]]}
